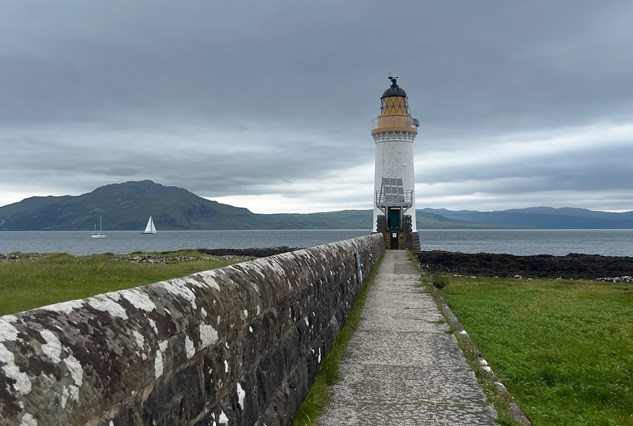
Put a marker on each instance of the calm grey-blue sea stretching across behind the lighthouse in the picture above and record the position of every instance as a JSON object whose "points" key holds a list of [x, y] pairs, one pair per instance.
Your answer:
{"points": [[610, 242]]}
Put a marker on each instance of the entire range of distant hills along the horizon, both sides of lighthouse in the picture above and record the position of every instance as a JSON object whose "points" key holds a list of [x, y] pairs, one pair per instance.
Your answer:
{"points": [[126, 206]]}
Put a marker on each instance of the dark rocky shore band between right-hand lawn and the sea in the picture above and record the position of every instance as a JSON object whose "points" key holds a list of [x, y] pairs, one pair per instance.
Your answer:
{"points": [[571, 266]]}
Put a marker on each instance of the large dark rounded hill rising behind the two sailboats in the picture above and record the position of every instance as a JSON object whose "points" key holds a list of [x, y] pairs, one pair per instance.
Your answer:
{"points": [[124, 206]]}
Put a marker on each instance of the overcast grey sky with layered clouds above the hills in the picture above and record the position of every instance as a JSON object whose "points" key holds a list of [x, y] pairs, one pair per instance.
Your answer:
{"points": [[267, 104]]}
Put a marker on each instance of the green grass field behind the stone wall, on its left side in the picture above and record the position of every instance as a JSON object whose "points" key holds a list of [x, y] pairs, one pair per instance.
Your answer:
{"points": [[58, 277]]}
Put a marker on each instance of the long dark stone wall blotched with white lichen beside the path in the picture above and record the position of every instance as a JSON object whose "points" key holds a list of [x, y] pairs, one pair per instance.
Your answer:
{"points": [[238, 345]]}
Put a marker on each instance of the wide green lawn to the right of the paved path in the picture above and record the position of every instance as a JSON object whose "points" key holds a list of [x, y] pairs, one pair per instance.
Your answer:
{"points": [[564, 349]]}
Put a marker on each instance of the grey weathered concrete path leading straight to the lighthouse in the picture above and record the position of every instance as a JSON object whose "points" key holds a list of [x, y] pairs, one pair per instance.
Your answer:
{"points": [[402, 366]]}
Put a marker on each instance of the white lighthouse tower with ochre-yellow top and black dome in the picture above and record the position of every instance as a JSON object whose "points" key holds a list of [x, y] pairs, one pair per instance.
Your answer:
{"points": [[394, 131]]}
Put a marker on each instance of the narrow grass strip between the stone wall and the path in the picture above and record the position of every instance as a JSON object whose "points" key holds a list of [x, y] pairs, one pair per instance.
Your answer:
{"points": [[318, 396]]}
